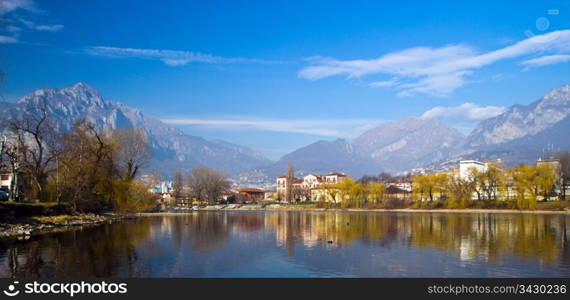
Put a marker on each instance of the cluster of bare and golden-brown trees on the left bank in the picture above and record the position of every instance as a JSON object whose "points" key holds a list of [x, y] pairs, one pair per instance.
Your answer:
{"points": [[90, 168]]}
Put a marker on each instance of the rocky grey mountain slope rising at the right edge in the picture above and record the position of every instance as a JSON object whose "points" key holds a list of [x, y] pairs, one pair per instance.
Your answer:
{"points": [[524, 132]]}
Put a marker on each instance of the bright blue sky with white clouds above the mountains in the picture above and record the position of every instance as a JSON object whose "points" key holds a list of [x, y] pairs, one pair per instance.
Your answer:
{"points": [[278, 75]]}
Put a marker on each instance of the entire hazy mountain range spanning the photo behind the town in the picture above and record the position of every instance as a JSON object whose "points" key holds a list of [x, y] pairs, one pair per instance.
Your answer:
{"points": [[521, 134]]}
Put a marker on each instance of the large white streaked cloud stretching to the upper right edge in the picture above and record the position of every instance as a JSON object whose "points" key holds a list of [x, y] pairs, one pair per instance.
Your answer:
{"points": [[434, 71]]}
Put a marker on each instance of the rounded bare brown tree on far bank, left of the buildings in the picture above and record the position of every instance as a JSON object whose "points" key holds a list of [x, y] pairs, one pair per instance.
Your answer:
{"points": [[207, 184]]}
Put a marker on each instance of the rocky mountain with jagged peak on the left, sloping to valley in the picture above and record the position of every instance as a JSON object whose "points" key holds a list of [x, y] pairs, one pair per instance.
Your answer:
{"points": [[171, 148]]}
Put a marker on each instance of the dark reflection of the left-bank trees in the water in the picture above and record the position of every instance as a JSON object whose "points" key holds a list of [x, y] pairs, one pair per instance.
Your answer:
{"points": [[94, 252]]}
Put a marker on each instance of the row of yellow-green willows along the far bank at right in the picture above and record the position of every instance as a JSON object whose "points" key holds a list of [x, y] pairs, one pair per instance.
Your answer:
{"points": [[541, 187]]}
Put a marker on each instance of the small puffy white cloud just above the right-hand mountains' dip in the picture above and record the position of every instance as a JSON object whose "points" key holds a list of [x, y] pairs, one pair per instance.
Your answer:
{"points": [[464, 113]]}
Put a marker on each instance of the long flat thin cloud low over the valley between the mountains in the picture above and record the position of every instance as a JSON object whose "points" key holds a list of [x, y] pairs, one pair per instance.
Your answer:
{"points": [[340, 128]]}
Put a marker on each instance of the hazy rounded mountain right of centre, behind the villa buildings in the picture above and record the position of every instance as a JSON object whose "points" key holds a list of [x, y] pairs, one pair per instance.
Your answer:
{"points": [[394, 147]]}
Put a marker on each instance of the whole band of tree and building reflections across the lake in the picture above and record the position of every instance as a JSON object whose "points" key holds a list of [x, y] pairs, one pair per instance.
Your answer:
{"points": [[113, 250]]}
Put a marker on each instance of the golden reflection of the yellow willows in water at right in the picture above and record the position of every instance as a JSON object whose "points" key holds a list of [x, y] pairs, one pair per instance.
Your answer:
{"points": [[488, 236]]}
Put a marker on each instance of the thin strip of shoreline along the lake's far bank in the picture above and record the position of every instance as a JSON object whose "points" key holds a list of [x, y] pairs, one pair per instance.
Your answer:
{"points": [[258, 208]]}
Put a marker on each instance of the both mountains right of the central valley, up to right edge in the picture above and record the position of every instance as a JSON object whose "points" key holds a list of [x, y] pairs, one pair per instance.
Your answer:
{"points": [[521, 134]]}
